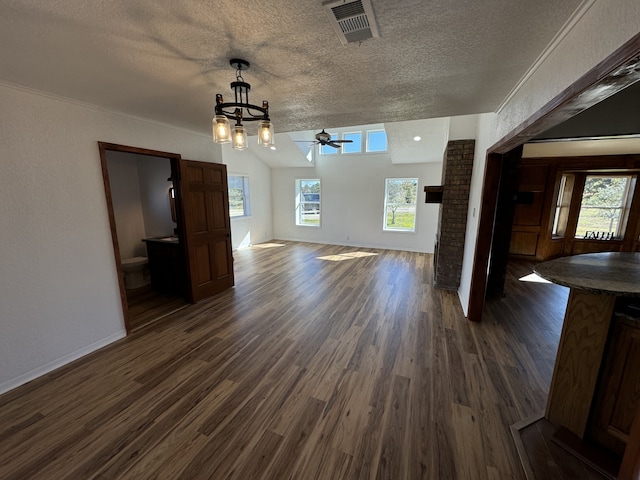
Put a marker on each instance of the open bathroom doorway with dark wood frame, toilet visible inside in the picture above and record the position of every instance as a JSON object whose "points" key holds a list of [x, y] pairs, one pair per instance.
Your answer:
{"points": [[146, 230]]}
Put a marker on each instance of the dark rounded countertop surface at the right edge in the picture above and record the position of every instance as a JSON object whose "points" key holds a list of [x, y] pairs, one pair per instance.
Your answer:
{"points": [[610, 273]]}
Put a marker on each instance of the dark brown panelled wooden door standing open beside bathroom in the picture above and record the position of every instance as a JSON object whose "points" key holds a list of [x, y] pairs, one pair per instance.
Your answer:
{"points": [[207, 227]]}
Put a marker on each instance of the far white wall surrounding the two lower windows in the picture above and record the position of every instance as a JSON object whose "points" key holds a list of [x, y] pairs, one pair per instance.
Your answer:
{"points": [[352, 189]]}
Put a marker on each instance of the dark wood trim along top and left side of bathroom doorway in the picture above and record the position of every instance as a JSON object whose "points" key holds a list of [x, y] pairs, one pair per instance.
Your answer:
{"points": [[103, 147]]}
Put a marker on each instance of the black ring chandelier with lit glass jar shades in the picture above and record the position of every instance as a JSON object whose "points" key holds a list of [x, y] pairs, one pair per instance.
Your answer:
{"points": [[241, 111]]}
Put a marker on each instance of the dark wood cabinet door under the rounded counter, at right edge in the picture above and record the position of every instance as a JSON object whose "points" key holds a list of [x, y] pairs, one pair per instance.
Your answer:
{"points": [[619, 393]]}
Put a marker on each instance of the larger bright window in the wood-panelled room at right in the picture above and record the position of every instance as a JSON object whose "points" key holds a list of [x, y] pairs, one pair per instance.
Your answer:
{"points": [[603, 207]]}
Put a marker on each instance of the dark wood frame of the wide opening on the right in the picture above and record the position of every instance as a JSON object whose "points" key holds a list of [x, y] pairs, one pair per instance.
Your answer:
{"points": [[616, 72]]}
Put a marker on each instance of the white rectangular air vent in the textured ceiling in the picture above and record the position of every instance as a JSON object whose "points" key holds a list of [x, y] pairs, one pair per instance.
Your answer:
{"points": [[353, 21]]}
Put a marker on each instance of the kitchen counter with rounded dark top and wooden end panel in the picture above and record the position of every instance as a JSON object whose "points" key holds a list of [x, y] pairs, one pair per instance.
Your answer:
{"points": [[597, 281]]}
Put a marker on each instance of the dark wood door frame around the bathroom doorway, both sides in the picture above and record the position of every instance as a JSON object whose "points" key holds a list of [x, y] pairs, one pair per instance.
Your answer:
{"points": [[174, 158]]}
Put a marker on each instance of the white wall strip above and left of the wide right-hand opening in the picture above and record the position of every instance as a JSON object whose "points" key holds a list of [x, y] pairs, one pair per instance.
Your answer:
{"points": [[601, 29]]}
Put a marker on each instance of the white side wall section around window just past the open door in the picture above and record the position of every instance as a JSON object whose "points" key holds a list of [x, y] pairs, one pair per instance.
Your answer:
{"points": [[258, 227]]}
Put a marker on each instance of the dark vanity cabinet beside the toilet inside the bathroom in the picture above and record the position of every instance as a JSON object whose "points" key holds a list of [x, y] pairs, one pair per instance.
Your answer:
{"points": [[167, 267]]}
